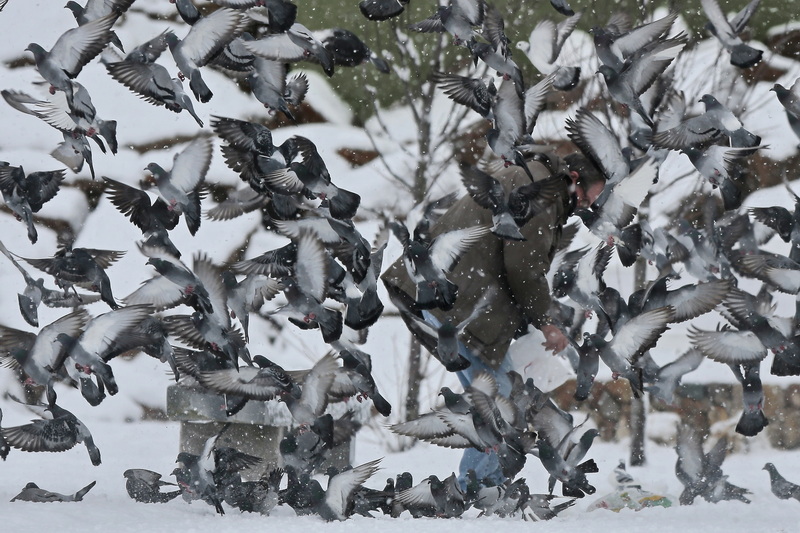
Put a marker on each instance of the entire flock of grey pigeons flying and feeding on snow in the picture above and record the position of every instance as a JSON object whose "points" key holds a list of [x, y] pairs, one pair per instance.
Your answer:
{"points": [[327, 276]]}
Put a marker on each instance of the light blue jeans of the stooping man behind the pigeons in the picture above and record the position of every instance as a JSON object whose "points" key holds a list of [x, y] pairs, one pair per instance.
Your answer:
{"points": [[485, 465]]}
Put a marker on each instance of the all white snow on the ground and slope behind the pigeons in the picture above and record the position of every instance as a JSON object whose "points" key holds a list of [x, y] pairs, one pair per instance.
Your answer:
{"points": [[126, 442]]}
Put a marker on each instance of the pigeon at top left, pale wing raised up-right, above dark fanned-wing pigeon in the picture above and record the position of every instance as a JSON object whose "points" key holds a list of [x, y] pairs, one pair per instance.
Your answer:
{"points": [[205, 39]]}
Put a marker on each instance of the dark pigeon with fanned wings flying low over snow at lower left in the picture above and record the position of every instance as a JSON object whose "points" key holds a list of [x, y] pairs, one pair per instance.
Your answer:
{"points": [[59, 434]]}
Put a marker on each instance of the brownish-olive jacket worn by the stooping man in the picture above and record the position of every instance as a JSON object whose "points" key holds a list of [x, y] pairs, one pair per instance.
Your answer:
{"points": [[516, 269]]}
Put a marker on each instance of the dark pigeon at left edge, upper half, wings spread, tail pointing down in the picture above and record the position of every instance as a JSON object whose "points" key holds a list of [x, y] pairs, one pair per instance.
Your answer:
{"points": [[26, 194]]}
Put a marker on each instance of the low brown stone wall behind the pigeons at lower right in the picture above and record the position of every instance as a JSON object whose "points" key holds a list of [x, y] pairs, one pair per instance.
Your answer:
{"points": [[705, 405]]}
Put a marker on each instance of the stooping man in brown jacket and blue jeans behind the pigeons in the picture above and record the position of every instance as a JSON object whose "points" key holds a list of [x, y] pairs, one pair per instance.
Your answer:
{"points": [[515, 272]]}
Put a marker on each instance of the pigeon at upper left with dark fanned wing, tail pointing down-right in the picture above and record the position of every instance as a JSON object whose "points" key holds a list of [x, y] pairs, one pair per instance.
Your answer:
{"points": [[139, 72]]}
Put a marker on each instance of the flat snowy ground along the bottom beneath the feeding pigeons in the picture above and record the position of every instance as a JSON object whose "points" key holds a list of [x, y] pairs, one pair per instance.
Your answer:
{"points": [[153, 445]]}
